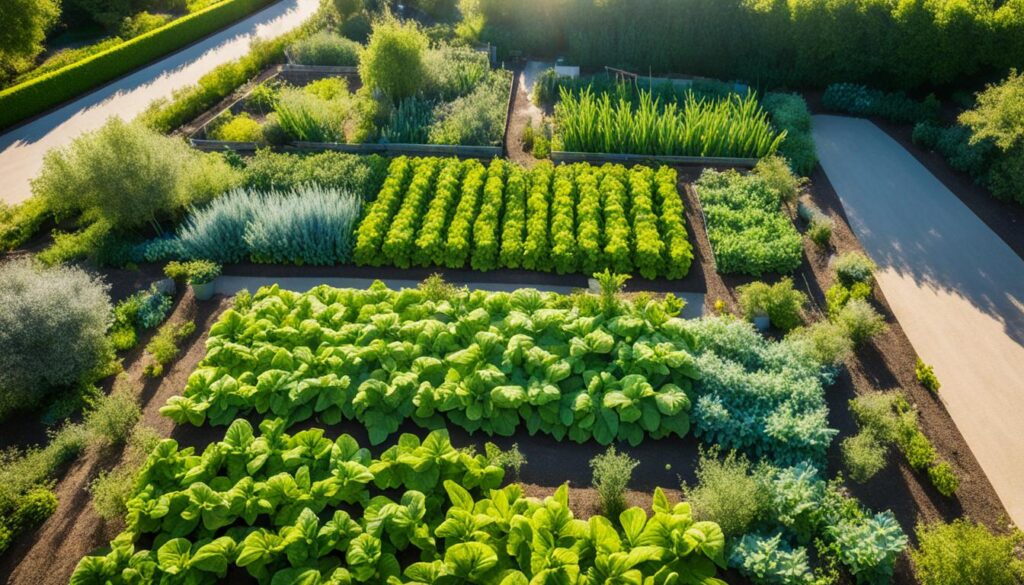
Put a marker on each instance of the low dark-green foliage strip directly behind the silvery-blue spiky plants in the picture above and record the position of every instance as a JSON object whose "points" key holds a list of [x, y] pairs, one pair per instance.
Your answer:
{"points": [[282, 172]]}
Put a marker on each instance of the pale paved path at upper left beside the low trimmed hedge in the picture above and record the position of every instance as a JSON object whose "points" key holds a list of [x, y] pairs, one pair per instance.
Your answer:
{"points": [[22, 150]]}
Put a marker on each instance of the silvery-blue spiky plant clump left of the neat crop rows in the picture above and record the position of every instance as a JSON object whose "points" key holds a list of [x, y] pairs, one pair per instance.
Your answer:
{"points": [[309, 226]]}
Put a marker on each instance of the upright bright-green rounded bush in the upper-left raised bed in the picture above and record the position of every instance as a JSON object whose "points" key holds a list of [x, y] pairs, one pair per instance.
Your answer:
{"points": [[394, 60]]}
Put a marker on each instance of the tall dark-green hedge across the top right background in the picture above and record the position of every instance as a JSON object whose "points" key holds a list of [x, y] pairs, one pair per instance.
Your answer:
{"points": [[902, 45]]}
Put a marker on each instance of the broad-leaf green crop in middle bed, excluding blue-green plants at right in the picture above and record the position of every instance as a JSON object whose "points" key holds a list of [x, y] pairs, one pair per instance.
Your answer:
{"points": [[573, 381]]}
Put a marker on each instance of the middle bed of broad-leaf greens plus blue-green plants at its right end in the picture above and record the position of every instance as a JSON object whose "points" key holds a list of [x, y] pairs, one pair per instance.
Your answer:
{"points": [[582, 367]]}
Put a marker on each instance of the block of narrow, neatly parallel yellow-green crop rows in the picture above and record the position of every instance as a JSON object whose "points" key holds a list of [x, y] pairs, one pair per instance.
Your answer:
{"points": [[568, 219]]}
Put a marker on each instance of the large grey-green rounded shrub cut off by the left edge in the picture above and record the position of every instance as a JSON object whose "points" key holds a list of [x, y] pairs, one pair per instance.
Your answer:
{"points": [[54, 326]]}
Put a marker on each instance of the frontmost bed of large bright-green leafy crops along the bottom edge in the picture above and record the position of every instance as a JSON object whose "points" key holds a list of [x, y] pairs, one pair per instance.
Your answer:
{"points": [[270, 506]]}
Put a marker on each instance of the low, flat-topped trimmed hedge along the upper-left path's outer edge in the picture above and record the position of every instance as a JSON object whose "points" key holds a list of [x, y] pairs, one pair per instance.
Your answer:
{"points": [[44, 93]]}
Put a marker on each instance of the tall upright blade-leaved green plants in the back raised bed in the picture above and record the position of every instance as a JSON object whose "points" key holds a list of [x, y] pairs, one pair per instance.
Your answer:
{"points": [[733, 127]]}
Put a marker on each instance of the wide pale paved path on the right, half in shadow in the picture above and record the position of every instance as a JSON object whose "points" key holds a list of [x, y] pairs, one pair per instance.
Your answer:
{"points": [[956, 287]]}
